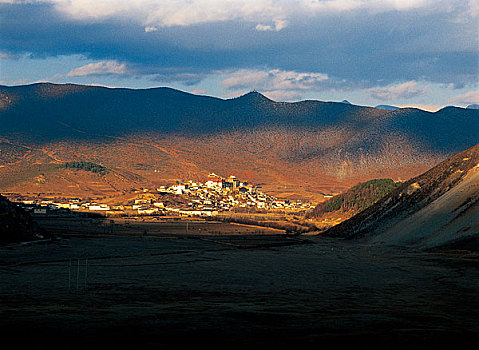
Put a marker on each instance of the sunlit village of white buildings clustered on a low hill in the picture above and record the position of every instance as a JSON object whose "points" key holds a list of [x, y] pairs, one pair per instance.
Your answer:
{"points": [[187, 199]]}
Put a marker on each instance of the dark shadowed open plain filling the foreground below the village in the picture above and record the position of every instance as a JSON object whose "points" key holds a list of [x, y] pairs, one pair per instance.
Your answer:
{"points": [[153, 285]]}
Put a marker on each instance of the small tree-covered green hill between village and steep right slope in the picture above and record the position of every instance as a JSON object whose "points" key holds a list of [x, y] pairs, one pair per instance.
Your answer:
{"points": [[351, 202]]}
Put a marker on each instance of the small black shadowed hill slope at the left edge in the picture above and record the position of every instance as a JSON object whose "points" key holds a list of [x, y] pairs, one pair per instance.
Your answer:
{"points": [[16, 225]]}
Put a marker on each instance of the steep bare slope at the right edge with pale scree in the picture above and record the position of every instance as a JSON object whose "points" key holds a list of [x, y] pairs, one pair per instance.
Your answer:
{"points": [[436, 209]]}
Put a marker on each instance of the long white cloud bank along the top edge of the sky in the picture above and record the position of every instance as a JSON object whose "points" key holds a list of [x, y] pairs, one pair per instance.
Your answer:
{"points": [[166, 13]]}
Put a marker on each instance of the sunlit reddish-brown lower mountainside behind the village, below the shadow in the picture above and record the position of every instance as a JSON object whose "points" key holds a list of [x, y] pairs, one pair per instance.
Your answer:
{"points": [[143, 161]]}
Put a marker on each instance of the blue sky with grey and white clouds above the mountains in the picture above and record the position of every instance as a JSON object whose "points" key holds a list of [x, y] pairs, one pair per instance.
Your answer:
{"points": [[419, 53]]}
